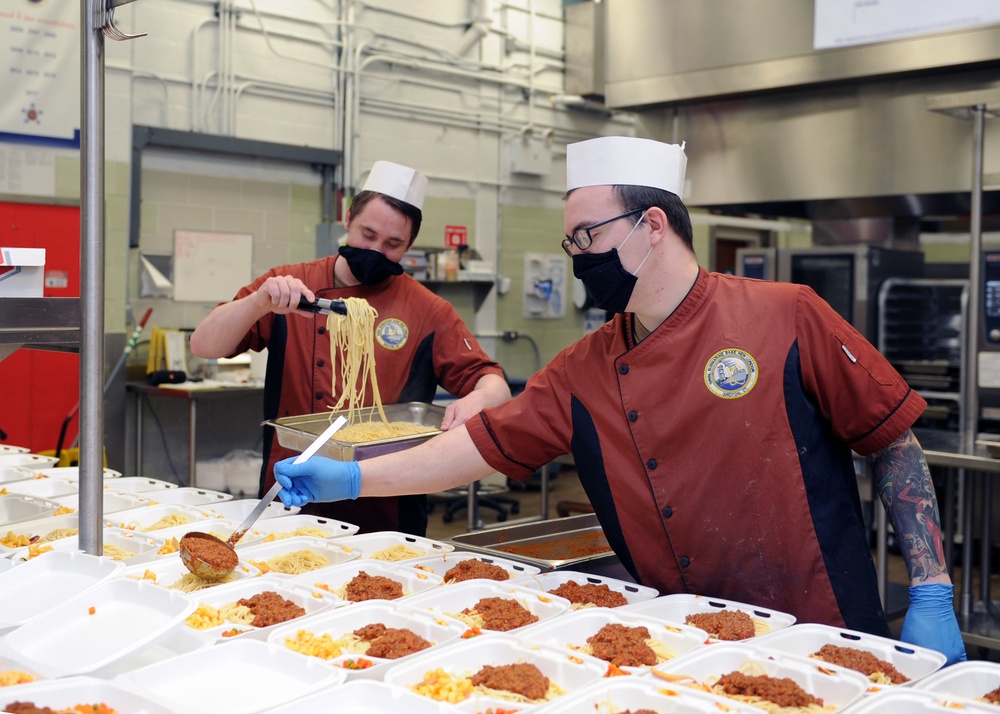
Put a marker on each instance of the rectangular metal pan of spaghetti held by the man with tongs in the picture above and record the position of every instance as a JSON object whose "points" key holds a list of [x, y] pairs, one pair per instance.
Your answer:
{"points": [[298, 432]]}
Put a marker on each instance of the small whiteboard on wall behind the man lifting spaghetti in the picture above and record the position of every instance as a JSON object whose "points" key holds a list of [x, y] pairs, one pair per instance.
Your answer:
{"points": [[211, 267]]}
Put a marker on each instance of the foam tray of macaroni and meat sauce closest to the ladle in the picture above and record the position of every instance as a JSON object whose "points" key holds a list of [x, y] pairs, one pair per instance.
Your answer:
{"points": [[250, 608]]}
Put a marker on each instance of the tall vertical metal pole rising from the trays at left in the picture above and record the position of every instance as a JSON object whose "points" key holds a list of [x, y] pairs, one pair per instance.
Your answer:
{"points": [[91, 277]]}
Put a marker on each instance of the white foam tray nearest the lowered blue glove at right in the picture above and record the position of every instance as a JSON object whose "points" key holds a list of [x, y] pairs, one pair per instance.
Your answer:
{"points": [[803, 640]]}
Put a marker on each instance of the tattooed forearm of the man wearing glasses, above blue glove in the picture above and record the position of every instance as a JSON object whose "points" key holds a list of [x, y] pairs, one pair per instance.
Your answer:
{"points": [[903, 482]]}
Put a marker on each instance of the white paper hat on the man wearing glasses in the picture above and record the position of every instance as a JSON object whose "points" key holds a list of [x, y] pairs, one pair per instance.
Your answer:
{"points": [[626, 161]]}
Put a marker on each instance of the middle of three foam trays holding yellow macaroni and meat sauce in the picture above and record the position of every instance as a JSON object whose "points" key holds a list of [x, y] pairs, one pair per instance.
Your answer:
{"points": [[343, 637]]}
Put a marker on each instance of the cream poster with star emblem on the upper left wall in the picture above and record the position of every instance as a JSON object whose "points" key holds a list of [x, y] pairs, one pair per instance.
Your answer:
{"points": [[40, 67]]}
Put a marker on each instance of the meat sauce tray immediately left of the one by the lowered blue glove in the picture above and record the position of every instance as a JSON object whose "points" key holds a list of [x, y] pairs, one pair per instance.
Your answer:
{"points": [[722, 619]]}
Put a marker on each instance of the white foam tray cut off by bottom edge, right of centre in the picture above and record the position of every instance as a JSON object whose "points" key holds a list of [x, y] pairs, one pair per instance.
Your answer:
{"points": [[618, 694]]}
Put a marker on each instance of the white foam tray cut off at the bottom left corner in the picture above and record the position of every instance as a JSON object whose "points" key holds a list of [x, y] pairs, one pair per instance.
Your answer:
{"points": [[62, 694]]}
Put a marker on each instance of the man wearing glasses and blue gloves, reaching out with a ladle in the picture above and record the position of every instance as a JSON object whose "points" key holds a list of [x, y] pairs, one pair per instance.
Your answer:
{"points": [[711, 421]]}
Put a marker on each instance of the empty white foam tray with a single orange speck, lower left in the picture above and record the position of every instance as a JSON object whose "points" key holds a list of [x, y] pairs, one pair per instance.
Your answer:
{"points": [[94, 629]]}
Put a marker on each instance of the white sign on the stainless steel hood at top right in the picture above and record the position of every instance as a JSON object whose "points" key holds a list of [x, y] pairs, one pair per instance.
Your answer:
{"points": [[843, 23]]}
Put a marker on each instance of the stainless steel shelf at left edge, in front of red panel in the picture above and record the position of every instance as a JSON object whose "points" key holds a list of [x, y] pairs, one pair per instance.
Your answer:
{"points": [[39, 323]]}
